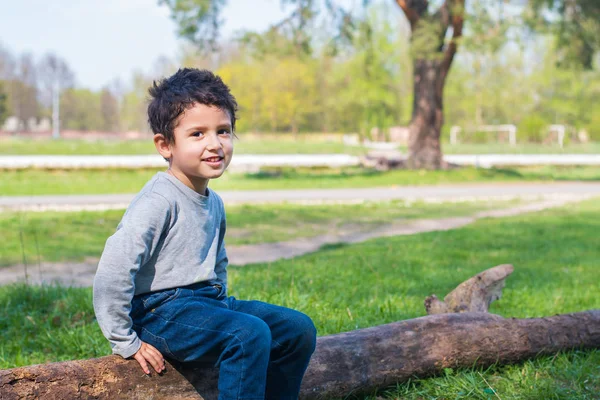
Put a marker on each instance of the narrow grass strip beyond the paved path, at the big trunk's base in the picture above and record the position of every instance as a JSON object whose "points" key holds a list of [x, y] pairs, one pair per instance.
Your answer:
{"points": [[41, 182]]}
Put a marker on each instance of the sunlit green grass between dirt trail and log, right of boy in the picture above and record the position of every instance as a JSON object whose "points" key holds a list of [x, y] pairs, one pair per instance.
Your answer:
{"points": [[555, 254]]}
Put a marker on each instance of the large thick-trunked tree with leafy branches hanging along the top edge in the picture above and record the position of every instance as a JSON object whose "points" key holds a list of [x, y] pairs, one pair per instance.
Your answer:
{"points": [[436, 34]]}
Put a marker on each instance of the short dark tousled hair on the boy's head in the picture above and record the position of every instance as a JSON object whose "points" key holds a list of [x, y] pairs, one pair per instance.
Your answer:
{"points": [[171, 96]]}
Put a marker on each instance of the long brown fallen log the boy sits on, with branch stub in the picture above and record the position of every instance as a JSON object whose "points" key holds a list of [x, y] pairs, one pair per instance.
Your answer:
{"points": [[347, 363]]}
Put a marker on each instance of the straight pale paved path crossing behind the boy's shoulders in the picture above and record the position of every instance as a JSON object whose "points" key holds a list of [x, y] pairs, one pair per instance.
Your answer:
{"points": [[426, 193]]}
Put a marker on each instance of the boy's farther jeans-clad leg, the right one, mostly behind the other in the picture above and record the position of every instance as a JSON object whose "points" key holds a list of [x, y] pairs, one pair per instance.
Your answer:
{"points": [[293, 342]]}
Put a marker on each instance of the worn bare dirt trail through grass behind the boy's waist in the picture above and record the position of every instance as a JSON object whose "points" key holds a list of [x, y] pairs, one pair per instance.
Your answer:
{"points": [[82, 273]]}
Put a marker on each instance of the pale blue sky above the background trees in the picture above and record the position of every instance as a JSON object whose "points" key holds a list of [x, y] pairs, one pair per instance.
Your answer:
{"points": [[106, 39]]}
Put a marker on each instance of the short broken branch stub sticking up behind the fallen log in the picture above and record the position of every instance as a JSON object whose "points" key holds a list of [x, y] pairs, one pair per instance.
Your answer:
{"points": [[473, 295]]}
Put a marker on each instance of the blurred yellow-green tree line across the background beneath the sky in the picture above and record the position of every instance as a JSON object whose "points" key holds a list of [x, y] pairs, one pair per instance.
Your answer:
{"points": [[505, 72]]}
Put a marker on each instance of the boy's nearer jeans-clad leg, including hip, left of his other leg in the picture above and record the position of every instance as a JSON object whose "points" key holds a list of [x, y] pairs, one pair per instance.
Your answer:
{"points": [[196, 325]]}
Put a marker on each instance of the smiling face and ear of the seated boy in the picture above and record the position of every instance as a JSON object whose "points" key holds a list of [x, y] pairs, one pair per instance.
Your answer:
{"points": [[202, 148]]}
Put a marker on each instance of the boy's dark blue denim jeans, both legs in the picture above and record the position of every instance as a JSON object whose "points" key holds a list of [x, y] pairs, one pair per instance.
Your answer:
{"points": [[262, 350]]}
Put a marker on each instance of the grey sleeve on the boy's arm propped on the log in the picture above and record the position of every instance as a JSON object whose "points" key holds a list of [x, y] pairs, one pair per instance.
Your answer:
{"points": [[125, 252]]}
